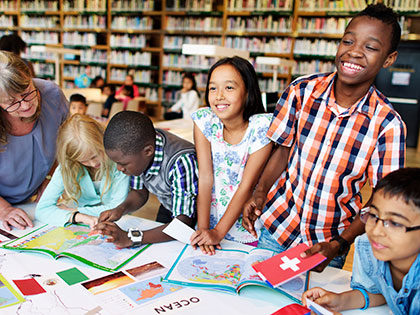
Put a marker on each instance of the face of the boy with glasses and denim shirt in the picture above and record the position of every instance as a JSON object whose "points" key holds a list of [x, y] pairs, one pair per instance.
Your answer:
{"points": [[399, 248]]}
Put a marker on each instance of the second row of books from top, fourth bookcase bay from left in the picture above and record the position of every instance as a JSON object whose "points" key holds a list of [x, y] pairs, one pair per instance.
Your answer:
{"points": [[206, 24]]}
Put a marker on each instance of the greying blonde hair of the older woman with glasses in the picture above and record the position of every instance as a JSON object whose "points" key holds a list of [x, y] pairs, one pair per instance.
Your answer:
{"points": [[15, 77]]}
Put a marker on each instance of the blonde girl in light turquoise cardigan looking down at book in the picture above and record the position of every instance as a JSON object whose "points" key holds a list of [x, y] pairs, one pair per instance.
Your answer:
{"points": [[86, 182]]}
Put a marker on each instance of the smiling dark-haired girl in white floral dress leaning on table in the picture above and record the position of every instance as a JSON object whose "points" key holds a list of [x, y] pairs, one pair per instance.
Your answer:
{"points": [[232, 148]]}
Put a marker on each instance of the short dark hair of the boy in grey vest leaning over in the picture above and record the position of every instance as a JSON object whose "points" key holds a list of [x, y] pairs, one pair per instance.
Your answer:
{"points": [[129, 132]]}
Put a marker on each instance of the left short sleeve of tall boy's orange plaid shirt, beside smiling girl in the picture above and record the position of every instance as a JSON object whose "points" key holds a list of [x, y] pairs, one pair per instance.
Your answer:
{"points": [[282, 128]]}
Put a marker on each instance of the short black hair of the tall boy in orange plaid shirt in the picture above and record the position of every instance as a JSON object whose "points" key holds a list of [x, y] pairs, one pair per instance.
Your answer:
{"points": [[388, 16]]}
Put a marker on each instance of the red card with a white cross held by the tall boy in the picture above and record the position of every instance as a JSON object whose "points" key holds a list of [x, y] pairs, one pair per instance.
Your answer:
{"points": [[287, 265]]}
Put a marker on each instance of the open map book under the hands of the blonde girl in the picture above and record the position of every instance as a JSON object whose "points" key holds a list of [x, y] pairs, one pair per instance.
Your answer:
{"points": [[76, 241]]}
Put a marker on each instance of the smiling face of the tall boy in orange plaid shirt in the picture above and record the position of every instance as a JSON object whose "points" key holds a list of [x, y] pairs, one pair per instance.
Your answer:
{"points": [[363, 51]]}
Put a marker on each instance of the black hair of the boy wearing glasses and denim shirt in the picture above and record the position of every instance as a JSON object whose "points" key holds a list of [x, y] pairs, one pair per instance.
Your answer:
{"points": [[403, 183]]}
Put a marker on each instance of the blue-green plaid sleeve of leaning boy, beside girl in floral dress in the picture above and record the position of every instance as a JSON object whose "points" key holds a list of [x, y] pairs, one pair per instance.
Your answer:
{"points": [[184, 178]]}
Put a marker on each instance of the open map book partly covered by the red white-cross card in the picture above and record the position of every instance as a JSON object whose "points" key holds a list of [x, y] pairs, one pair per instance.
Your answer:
{"points": [[228, 270]]}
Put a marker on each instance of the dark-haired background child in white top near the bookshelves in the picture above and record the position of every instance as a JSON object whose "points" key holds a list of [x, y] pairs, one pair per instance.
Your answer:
{"points": [[189, 100]]}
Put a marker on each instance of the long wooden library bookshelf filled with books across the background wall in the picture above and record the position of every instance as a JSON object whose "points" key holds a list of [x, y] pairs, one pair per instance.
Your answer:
{"points": [[144, 37]]}
